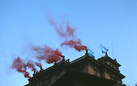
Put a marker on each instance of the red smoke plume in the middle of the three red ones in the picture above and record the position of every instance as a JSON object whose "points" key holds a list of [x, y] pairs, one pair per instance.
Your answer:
{"points": [[48, 54]]}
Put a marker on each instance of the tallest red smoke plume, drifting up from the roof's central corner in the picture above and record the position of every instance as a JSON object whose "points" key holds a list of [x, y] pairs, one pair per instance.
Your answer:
{"points": [[69, 33]]}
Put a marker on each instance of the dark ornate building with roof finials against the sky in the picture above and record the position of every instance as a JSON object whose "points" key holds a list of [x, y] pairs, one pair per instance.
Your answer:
{"points": [[84, 71]]}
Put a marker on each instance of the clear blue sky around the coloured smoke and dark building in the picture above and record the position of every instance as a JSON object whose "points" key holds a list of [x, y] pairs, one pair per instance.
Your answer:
{"points": [[112, 23]]}
